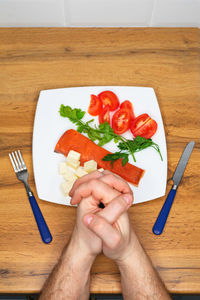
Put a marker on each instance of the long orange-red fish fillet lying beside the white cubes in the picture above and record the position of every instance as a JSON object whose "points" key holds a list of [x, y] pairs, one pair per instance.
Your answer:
{"points": [[73, 140]]}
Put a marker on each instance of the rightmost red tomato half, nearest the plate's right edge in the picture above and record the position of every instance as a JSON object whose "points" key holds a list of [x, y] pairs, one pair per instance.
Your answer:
{"points": [[143, 126]]}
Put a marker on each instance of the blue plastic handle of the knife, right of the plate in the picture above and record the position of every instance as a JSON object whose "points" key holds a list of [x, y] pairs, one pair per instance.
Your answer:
{"points": [[162, 217]]}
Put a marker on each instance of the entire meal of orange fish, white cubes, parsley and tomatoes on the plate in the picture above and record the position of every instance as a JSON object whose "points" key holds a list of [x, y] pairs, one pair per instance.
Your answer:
{"points": [[84, 156]]}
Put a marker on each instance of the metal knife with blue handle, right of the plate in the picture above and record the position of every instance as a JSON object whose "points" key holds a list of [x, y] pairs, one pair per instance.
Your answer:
{"points": [[162, 217]]}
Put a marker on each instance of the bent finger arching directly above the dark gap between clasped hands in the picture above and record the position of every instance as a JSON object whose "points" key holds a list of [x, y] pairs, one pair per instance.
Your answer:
{"points": [[96, 188]]}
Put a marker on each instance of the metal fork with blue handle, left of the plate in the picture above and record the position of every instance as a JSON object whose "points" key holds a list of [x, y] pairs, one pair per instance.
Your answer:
{"points": [[22, 174]]}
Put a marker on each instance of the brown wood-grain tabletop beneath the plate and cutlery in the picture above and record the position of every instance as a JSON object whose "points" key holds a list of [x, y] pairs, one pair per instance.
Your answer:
{"points": [[36, 59]]}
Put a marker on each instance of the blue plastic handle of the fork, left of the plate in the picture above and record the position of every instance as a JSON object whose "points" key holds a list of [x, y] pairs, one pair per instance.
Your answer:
{"points": [[42, 226]]}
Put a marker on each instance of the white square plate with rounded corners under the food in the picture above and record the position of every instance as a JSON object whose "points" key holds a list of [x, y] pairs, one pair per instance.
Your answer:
{"points": [[49, 126]]}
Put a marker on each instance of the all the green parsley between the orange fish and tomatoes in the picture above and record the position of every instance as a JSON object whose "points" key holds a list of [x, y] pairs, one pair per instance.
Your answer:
{"points": [[103, 133]]}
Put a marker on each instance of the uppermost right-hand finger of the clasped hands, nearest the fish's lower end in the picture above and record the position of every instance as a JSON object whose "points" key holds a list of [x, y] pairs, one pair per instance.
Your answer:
{"points": [[116, 182]]}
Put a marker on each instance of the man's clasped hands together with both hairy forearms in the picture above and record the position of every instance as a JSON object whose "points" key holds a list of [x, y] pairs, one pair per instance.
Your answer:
{"points": [[106, 230]]}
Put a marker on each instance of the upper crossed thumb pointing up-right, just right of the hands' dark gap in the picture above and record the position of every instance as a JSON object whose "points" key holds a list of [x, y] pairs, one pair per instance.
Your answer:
{"points": [[116, 208]]}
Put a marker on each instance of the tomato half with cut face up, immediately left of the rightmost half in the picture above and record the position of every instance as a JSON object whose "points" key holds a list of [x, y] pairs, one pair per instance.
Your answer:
{"points": [[121, 120]]}
